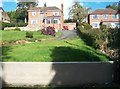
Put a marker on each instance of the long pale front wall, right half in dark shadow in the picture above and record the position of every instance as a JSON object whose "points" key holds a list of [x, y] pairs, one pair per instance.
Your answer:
{"points": [[57, 73]]}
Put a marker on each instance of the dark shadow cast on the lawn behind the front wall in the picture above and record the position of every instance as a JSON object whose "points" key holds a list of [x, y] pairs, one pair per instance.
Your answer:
{"points": [[62, 54]]}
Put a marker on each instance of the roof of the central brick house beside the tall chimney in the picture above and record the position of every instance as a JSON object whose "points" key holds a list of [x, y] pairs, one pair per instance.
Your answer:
{"points": [[44, 9]]}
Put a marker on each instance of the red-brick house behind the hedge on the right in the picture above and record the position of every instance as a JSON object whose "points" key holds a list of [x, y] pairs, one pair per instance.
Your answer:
{"points": [[108, 17]]}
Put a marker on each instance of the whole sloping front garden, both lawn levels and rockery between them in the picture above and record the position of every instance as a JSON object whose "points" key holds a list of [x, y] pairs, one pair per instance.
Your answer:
{"points": [[16, 47]]}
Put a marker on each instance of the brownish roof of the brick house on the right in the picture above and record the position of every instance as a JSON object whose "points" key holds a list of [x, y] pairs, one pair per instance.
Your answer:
{"points": [[104, 11]]}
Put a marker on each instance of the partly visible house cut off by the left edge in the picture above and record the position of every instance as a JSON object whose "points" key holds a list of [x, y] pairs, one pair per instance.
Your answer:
{"points": [[4, 16]]}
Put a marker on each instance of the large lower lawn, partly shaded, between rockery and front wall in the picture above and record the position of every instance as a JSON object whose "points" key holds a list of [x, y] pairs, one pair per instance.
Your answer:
{"points": [[52, 51]]}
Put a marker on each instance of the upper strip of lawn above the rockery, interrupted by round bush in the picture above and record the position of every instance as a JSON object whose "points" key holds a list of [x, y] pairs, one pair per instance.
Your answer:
{"points": [[8, 36]]}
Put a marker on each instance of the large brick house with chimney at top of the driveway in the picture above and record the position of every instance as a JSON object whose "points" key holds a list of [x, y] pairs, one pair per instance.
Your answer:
{"points": [[40, 17]]}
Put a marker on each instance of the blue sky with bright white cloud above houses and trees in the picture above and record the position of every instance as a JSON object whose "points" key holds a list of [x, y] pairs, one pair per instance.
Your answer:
{"points": [[10, 5]]}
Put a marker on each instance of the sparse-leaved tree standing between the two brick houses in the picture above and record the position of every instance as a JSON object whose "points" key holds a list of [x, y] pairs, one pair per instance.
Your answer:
{"points": [[78, 13]]}
